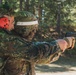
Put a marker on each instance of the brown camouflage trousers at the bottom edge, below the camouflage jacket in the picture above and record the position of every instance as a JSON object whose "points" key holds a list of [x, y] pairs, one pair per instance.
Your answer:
{"points": [[18, 66]]}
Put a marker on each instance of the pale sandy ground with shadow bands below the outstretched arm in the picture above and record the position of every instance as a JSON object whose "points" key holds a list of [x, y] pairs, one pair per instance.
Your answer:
{"points": [[64, 66]]}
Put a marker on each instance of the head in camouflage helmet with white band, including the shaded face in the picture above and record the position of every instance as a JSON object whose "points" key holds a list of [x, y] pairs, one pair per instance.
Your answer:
{"points": [[26, 24]]}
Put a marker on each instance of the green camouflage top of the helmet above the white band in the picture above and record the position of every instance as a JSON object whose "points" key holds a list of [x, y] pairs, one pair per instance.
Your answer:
{"points": [[24, 16]]}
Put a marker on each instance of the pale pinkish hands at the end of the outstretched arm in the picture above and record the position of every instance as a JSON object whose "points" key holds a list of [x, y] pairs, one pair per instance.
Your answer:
{"points": [[66, 43]]}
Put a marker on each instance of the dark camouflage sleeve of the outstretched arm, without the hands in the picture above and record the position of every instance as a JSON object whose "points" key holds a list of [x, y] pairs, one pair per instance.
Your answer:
{"points": [[43, 52]]}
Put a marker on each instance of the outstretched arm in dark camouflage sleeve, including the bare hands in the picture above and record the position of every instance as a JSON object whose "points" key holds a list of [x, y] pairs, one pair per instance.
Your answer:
{"points": [[47, 52]]}
